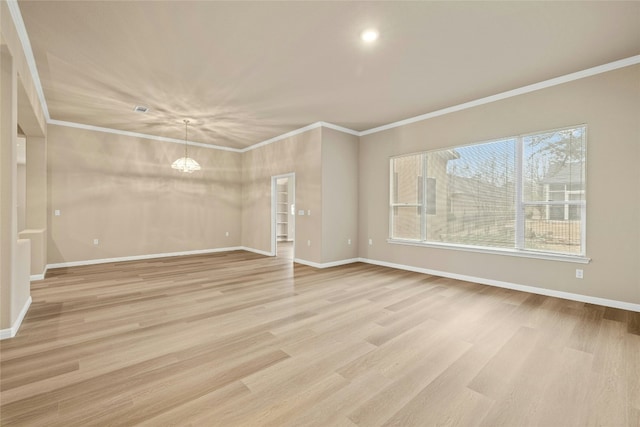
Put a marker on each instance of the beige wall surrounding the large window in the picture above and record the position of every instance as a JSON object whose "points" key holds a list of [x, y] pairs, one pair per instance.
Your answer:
{"points": [[610, 105]]}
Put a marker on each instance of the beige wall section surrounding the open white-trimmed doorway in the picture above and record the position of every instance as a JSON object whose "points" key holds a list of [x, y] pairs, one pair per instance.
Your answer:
{"points": [[299, 154]]}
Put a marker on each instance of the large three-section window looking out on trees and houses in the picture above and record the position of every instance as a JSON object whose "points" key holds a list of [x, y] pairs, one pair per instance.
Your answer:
{"points": [[524, 193]]}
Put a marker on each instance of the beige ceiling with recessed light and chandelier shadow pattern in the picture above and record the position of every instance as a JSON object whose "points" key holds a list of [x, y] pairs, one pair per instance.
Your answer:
{"points": [[245, 72]]}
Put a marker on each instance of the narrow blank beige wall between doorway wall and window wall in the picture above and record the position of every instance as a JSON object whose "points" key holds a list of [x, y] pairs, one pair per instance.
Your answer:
{"points": [[339, 195]]}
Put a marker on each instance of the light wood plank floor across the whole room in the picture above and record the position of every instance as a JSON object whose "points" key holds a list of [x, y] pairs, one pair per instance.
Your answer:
{"points": [[238, 339]]}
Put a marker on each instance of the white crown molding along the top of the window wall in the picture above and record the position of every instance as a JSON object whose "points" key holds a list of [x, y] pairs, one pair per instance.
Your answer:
{"points": [[511, 93]]}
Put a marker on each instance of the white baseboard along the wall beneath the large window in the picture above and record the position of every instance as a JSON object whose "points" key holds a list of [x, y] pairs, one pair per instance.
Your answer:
{"points": [[507, 285]]}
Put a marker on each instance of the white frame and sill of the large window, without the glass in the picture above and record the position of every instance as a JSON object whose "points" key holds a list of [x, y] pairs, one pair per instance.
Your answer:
{"points": [[520, 205]]}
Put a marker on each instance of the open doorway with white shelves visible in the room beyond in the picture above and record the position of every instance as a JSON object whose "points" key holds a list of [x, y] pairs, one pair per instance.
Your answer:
{"points": [[283, 228]]}
